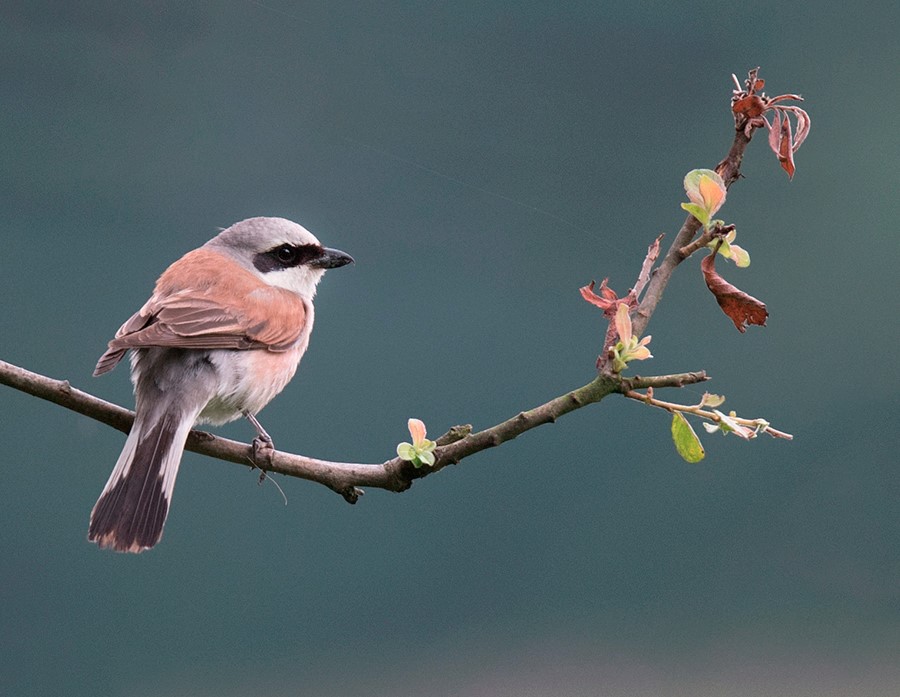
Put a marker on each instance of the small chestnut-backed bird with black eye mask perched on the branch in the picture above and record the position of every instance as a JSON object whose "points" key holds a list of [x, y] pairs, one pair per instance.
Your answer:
{"points": [[221, 335]]}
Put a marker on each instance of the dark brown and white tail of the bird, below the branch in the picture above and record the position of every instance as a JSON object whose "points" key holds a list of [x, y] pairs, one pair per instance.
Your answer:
{"points": [[130, 514]]}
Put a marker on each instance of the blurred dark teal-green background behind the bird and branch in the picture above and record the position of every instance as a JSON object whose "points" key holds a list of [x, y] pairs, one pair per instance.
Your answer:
{"points": [[481, 161]]}
